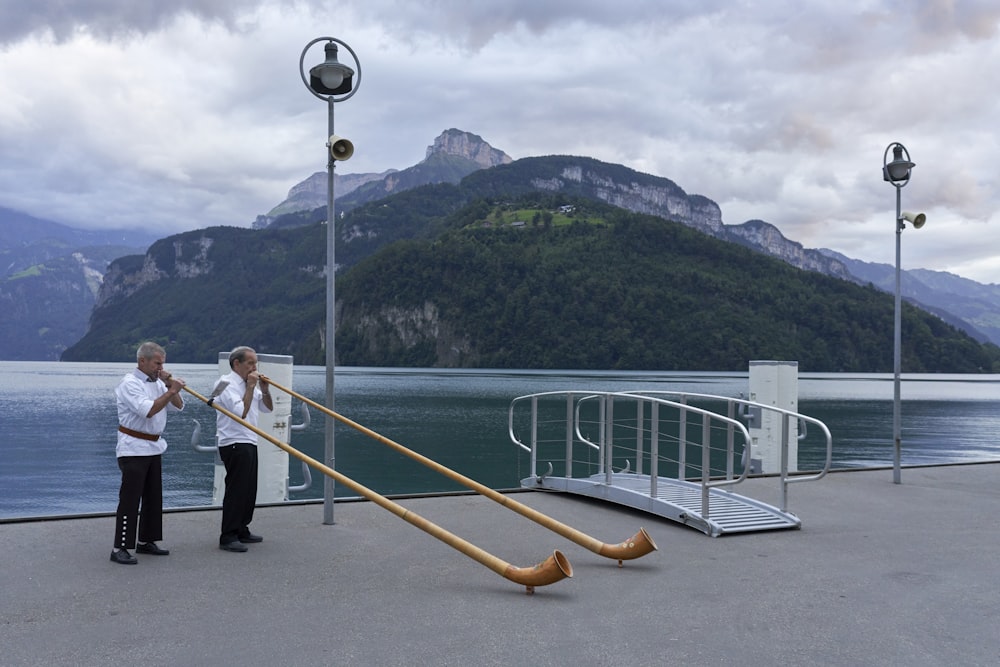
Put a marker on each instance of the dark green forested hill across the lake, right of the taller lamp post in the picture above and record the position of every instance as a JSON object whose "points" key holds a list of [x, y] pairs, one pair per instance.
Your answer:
{"points": [[613, 290]]}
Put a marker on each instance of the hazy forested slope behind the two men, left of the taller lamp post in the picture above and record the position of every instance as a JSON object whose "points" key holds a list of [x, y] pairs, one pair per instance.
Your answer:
{"points": [[209, 290]]}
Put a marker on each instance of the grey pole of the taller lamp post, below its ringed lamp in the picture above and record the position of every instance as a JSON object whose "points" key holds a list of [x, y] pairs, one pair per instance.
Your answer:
{"points": [[329, 458]]}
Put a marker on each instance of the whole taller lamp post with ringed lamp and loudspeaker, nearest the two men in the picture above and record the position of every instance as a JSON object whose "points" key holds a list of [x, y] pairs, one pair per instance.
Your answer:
{"points": [[331, 81]]}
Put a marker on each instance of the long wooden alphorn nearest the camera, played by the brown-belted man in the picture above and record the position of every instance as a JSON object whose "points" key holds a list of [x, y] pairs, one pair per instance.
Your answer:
{"points": [[555, 568]]}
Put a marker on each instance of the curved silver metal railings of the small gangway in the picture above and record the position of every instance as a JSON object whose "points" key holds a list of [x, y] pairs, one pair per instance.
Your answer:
{"points": [[666, 436]]}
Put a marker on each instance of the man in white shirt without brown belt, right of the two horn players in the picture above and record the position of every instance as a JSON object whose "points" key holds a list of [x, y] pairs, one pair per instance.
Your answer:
{"points": [[246, 396]]}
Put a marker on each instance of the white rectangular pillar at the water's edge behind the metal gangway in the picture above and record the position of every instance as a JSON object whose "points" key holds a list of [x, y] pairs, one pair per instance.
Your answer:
{"points": [[774, 383]]}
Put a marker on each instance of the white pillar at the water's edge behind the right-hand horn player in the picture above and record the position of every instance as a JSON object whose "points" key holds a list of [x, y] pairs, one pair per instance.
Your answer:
{"points": [[272, 461]]}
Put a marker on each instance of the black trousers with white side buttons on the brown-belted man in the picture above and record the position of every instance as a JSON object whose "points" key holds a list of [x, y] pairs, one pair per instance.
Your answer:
{"points": [[142, 484]]}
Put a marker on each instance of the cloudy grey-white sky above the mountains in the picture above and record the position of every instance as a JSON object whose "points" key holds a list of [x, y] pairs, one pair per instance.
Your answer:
{"points": [[190, 113]]}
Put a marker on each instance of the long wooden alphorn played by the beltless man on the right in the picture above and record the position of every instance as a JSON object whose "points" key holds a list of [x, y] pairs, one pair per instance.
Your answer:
{"points": [[636, 546]]}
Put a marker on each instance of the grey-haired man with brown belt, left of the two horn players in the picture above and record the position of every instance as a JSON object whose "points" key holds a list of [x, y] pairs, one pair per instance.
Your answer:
{"points": [[144, 397]]}
